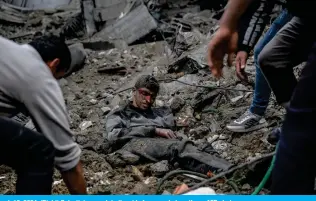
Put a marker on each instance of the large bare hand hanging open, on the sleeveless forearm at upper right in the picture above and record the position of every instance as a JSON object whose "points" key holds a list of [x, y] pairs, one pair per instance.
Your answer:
{"points": [[223, 42]]}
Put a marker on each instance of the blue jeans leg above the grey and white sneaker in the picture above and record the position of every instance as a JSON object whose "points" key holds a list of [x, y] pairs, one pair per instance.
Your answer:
{"points": [[262, 90]]}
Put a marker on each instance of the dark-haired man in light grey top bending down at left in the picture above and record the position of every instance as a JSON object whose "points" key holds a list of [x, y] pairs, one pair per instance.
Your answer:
{"points": [[28, 84]]}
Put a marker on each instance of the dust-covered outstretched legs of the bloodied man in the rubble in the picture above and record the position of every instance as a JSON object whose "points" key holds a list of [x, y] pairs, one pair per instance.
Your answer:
{"points": [[174, 150]]}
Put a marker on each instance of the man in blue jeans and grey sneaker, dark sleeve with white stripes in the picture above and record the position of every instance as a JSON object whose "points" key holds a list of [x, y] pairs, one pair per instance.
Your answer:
{"points": [[250, 29]]}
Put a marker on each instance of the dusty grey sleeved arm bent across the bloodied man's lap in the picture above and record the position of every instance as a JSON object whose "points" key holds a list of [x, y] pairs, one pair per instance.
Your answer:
{"points": [[117, 128]]}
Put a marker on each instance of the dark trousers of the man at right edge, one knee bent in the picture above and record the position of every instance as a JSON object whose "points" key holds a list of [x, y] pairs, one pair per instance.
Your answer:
{"points": [[295, 167]]}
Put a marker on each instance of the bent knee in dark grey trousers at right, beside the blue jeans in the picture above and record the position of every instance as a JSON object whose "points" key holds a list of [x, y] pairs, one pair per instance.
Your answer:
{"points": [[286, 50]]}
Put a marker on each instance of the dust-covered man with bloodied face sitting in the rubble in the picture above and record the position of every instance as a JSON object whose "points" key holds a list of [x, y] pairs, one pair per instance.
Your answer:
{"points": [[147, 132]]}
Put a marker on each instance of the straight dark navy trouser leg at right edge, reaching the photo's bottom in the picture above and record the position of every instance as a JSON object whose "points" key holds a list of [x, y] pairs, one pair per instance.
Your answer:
{"points": [[295, 166]]}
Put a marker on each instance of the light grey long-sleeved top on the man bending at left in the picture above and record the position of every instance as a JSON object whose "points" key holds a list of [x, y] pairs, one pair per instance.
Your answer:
{"points": [[28, 86]]}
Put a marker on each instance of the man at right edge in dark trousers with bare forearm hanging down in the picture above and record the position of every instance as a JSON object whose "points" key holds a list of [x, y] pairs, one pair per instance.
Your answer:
{"points": [[292, 44]]}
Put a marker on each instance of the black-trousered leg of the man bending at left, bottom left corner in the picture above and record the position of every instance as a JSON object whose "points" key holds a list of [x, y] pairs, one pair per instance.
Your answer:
{"points": [[30, 154]]}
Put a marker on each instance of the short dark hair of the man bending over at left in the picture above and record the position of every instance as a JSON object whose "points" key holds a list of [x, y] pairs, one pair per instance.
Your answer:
{"points": [[52, 47]]}
